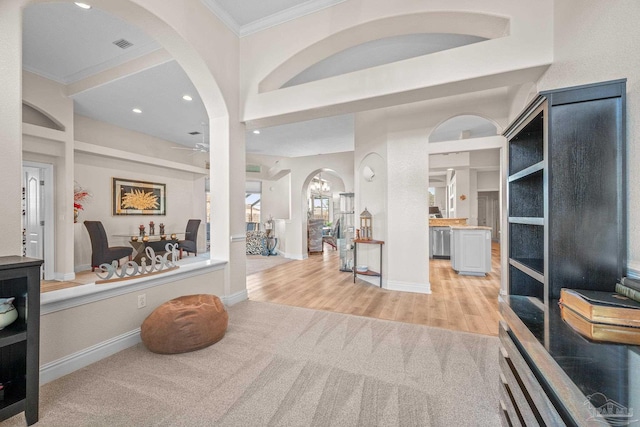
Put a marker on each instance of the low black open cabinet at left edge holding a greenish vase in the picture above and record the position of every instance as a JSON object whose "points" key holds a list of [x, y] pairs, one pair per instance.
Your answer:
{"points": [[20, 341]]}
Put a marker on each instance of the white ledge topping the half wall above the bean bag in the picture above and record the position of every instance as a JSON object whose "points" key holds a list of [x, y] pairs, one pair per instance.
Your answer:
{"points": [[63, 299]]}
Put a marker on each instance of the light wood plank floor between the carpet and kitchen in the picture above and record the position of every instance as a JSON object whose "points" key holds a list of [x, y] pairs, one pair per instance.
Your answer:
{"points": [[462, 303]]}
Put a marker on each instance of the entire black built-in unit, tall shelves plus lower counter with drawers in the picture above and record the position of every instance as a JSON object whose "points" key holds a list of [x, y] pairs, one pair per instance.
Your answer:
{"points": [[566, 195]]}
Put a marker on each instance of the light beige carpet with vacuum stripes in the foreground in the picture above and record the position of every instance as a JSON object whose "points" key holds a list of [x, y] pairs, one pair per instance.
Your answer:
{"points": [[289, 366]]}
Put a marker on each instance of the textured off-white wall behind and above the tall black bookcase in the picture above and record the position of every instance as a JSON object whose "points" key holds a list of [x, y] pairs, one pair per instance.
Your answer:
{"points": [[598, 41]]}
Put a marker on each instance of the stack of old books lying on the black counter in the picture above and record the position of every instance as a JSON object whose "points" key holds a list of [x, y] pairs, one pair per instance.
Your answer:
{"points": [[604, 316]]}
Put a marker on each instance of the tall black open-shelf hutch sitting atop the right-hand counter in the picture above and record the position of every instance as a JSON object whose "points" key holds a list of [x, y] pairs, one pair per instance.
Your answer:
{"points": [[566, 192]]}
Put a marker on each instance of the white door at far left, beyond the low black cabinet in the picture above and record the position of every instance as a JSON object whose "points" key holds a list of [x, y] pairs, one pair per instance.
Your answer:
{"points": [[33, 213]]}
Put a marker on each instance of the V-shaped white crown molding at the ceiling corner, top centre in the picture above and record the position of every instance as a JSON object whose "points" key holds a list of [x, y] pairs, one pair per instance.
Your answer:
{"points": [[278, 18]]}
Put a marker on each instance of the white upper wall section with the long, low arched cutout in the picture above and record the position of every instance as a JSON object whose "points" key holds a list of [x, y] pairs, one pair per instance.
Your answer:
{"points": [[521, 55]]}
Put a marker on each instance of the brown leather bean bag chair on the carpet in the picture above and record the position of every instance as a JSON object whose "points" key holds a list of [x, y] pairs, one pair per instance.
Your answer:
{"points": [[186, 323]]}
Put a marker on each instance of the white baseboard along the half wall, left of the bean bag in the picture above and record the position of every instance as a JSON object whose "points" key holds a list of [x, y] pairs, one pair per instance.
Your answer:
{"points": [[61, 367]]}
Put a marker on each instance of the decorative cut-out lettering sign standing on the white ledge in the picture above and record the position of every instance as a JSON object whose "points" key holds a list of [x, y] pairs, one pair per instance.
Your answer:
{"points": [[131, 269]]}
